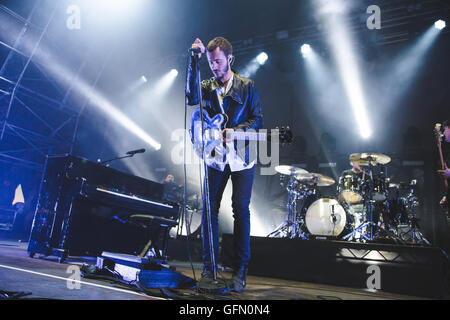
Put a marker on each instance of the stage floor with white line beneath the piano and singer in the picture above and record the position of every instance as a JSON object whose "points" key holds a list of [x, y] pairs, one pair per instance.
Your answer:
{"points": [[45, 278]]}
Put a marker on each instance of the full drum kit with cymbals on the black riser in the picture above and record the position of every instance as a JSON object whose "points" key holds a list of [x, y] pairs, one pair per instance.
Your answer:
{"points": [[362, 210]]}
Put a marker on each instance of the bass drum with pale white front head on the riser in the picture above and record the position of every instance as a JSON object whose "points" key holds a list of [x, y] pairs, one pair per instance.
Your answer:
{"points": [[326, 217]]}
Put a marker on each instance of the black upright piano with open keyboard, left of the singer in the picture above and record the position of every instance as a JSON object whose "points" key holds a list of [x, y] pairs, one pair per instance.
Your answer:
{"points": [[85, 208]]}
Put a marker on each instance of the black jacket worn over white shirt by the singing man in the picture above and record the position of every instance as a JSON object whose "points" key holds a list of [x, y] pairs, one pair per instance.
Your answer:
{"points": [[241, 103]]}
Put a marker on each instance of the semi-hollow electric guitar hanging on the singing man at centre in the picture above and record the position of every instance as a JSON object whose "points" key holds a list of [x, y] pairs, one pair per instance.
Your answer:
{"points": [[212, 145]]}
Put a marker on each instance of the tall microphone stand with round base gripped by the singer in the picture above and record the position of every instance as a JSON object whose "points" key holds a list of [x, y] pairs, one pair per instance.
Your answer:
{"points": [[211, 286]]}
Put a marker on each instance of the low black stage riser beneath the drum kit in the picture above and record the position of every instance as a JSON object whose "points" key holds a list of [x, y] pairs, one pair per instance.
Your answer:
{"points": [[414, 271]]}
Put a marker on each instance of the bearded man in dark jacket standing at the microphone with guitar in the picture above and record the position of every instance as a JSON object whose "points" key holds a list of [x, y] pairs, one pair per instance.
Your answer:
{"points": [[227, 93]]}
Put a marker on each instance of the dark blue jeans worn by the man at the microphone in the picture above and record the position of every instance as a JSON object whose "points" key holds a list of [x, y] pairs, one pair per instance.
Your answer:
{"points": [[242, 189]]}
